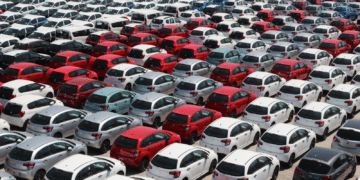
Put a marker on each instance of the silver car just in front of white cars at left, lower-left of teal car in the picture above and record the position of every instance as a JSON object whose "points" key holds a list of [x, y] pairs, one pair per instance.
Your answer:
{"points": [[55, 121]]}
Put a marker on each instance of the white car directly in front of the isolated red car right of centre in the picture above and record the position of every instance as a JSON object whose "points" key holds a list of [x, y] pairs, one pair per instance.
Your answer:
{"points": [[299, 92]]}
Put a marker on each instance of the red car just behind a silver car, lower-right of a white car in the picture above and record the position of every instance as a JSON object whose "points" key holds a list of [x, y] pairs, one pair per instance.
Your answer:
{"points": [[161, 62]]}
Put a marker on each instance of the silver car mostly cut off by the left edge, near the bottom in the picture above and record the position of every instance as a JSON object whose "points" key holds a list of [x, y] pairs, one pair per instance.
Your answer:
{"points": [[9, 140]]}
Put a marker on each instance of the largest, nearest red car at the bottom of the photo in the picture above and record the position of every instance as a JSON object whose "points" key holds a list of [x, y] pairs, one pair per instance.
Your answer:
{"points": [[137, 146]]}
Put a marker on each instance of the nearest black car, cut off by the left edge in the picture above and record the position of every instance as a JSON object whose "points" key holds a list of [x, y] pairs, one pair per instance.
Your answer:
{"points": [[18, 56]]}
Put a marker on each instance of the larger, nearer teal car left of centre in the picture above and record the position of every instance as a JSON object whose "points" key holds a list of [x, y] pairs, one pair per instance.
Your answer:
{"points": [[110, 99]]}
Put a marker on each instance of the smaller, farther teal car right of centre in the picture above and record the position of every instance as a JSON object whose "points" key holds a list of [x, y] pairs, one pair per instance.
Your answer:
{"points": [[224, 55]]}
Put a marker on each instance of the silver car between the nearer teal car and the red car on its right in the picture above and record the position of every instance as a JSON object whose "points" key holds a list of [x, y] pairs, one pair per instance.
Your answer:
{"points": [[152, 108]]}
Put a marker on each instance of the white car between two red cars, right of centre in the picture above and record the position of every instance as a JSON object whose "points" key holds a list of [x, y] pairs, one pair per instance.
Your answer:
{"points": [[263, 83]]}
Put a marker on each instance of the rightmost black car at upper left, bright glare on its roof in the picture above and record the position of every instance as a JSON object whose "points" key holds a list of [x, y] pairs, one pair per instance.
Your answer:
{"points": [[68, 45]]}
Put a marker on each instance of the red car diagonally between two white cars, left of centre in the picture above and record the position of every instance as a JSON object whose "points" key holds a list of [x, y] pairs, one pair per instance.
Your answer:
{"points": [[105, 62]]}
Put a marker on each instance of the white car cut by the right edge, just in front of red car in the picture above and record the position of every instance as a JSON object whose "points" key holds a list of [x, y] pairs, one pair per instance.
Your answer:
{"points": [[349, 63]]}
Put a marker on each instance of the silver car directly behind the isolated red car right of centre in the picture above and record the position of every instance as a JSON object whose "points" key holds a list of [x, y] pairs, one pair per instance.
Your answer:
{"points": [[284, 50]]}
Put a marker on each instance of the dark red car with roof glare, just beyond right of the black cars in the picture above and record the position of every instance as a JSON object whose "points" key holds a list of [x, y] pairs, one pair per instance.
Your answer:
{"points": [[102, 36]]}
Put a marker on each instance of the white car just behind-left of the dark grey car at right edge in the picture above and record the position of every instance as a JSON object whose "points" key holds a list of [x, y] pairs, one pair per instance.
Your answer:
{"points": [[321, 118]]}
